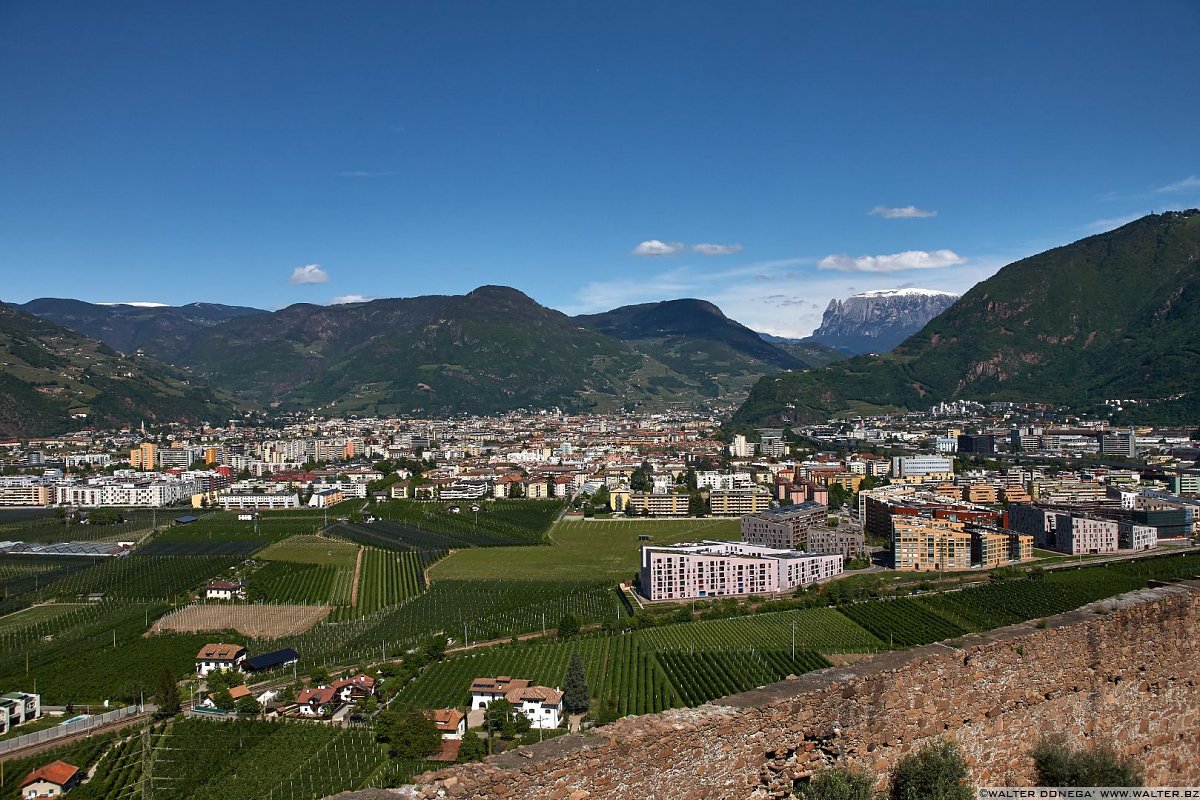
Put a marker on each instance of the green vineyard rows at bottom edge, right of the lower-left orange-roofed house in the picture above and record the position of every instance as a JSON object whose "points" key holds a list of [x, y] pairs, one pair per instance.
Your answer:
{"points": [[208, 760]]}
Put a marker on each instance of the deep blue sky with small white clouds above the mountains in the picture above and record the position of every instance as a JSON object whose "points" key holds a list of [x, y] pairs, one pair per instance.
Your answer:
{"points": [[591, 155]]}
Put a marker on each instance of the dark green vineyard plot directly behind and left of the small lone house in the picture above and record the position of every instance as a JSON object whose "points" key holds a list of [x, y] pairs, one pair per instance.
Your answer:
{"points": [[151, 578]]}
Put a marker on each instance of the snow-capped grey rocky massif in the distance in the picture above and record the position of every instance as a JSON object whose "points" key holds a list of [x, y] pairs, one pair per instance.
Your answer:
{"points": [[877, 322]]}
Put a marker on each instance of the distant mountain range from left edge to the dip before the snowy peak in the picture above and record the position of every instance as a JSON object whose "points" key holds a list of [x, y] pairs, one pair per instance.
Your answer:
{"points": [[490, 351]]}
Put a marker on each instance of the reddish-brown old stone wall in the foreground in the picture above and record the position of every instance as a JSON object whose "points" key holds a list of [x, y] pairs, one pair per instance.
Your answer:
{"points": [[1121, 672]]}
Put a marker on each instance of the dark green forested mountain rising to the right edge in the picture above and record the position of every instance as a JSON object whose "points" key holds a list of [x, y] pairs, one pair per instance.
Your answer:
{"points": [[1114, 316]]}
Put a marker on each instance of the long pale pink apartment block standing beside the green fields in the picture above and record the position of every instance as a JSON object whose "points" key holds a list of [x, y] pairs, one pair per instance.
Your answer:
{"points": [[716, 569]]}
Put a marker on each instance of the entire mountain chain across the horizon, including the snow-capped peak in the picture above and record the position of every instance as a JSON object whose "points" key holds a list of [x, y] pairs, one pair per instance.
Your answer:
{"points": [[1113, 316]]}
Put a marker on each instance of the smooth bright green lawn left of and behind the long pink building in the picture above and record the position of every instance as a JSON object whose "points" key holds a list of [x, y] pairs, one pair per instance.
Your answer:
{"points": [[581, 551]]}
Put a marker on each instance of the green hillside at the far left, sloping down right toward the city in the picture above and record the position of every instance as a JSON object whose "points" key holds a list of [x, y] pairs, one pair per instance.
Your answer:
{"points": [[55, 380]]}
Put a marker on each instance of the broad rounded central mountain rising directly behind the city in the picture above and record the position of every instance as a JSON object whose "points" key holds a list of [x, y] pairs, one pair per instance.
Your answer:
{"points": [[490, 351]]}
